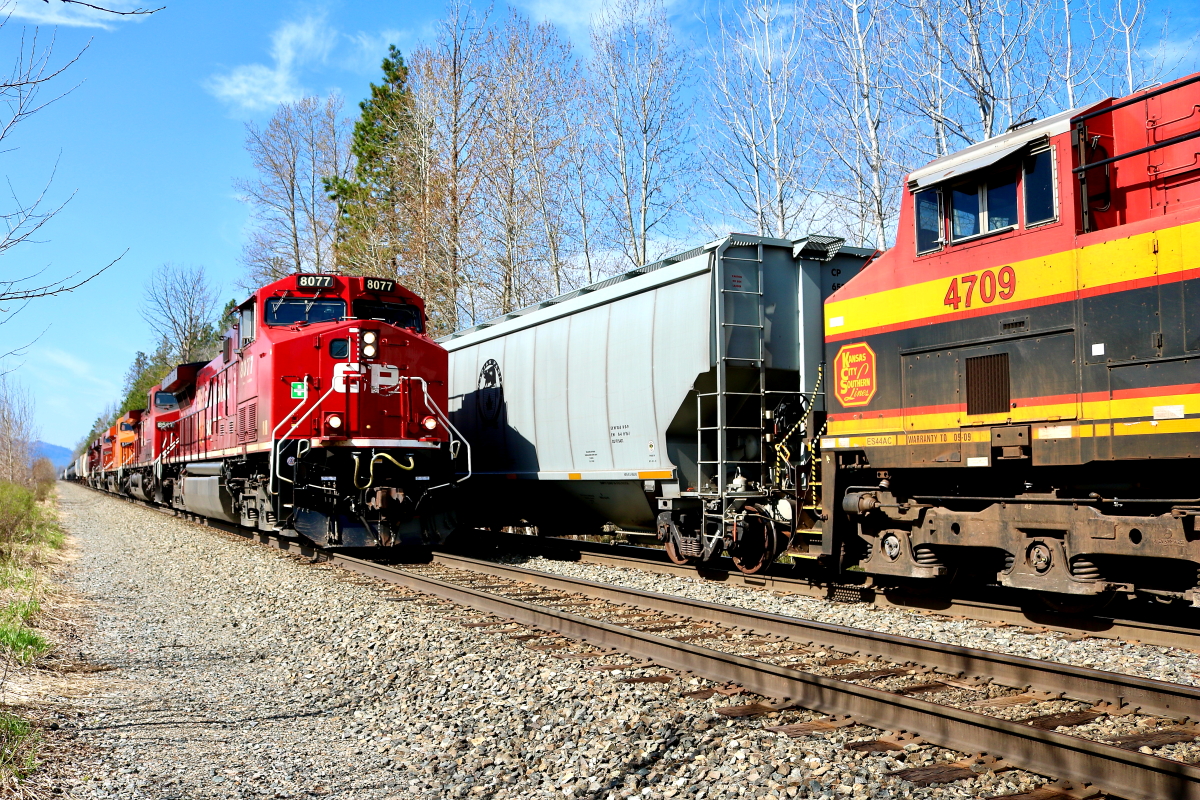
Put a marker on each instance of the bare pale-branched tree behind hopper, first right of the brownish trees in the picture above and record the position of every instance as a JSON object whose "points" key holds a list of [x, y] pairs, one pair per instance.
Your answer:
{"points": [[645, 122]]}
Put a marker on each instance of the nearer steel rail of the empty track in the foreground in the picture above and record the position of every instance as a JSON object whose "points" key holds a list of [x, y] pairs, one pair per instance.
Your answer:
{"points": [[1127, 774]]}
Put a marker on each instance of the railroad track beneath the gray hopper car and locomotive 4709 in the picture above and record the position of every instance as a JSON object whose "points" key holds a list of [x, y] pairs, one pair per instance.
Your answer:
{"points": [[1185, 635]]}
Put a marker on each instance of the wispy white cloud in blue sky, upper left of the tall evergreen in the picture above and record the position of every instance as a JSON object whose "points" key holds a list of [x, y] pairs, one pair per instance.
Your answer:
{"points": [[257, 87]]}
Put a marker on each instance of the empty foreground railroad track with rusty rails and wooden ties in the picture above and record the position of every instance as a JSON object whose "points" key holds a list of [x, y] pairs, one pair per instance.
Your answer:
{"points": [[855, 677]]}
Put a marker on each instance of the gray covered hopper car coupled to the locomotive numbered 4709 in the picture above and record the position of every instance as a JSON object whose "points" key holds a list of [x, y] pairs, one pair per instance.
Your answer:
{"points": [[656, 400]]}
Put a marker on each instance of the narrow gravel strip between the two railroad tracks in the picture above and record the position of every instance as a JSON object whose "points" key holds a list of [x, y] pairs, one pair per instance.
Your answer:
{"points": [[1172, 665]]}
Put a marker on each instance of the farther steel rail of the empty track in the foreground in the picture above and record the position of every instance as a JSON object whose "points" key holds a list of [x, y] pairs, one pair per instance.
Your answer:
{"points": [[1126, 693]]}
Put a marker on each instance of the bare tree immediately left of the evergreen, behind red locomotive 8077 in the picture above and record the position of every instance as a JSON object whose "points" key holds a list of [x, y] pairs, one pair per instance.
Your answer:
{"points": [[304, 145]]}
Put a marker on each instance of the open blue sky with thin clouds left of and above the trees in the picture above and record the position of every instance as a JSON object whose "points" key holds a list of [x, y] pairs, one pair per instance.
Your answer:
{"points": [[148, 146]]}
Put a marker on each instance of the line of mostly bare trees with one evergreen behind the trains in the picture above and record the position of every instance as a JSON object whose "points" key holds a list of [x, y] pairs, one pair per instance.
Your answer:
{"points": [[496, 165]]}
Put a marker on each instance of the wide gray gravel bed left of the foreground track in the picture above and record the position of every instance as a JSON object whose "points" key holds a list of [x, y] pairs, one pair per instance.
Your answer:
{"points": [[241, 672]]}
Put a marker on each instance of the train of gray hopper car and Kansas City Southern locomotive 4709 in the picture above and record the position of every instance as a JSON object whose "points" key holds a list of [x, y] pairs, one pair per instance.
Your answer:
{"points": [[1010, 395]]}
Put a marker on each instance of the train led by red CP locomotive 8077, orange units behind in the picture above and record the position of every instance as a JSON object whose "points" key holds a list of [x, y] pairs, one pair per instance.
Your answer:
{"points": [[323, 417]]}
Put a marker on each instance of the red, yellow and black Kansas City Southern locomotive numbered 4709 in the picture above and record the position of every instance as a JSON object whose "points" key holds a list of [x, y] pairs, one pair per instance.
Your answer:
{"points": [[1016, 386]]}
